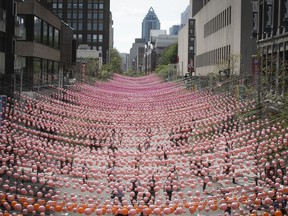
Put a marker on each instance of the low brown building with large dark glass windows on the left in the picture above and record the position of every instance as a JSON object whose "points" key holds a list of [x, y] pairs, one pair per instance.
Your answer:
{"points": [[45, 51]]}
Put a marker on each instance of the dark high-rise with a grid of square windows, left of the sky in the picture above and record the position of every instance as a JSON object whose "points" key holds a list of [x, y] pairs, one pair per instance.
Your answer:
{"points": [[90, 19]]}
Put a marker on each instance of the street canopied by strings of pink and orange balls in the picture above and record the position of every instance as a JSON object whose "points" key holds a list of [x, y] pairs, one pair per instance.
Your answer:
{"points": [[140, 146]]}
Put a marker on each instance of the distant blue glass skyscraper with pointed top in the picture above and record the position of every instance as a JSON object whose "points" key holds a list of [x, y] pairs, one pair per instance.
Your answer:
{"points": [[150, 21]]}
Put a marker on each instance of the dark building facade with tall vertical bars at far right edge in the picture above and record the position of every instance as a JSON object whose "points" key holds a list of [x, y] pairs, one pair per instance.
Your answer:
{"points": [[272, 40]]}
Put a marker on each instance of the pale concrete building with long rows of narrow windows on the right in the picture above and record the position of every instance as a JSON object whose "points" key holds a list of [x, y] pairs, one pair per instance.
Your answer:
{"points": [[224, 34]]}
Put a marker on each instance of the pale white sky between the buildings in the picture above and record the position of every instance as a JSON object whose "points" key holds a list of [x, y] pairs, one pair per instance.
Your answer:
{"points": [[128, 15]]}
